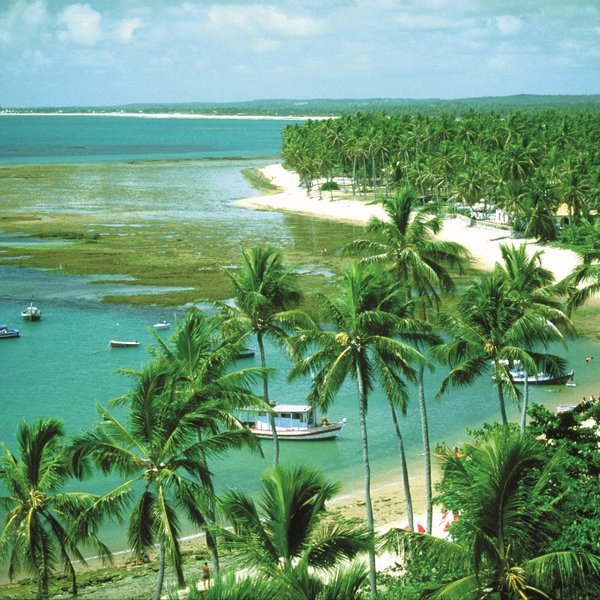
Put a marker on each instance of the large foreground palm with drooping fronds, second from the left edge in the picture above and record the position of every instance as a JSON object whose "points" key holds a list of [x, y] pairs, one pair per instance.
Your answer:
{"points": [[164, 462]]}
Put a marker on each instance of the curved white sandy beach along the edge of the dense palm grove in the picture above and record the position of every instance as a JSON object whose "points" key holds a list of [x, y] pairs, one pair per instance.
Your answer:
{"points": [[483, 242]]}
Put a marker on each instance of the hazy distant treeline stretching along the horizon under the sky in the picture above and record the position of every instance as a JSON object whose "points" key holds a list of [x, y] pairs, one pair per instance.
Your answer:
{"points": [[333, 107]]}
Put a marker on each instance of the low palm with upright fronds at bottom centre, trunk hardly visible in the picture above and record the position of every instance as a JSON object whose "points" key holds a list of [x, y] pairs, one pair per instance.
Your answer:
{"points": [[285, 533]]}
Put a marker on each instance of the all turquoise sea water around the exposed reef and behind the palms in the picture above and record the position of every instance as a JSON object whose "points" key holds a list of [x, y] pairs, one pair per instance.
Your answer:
{"points": [[63, 366]]}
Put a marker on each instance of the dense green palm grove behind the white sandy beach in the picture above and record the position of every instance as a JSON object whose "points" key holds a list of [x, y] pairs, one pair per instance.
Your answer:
{"points": [[527, 163]]}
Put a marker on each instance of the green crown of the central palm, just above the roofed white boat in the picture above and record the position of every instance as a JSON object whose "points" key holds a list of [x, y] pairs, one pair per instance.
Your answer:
{"points": [[363, 319]]}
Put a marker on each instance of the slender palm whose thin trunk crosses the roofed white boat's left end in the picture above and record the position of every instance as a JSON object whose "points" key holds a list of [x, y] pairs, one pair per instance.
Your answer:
{"points": [[265, 292]]}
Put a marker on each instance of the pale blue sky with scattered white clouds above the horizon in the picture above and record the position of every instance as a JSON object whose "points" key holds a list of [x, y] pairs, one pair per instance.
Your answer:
{"points": [[112, 52]]}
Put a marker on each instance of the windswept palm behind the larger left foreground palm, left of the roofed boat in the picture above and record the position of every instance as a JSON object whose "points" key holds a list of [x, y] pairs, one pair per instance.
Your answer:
{"points": [[200, 360]]}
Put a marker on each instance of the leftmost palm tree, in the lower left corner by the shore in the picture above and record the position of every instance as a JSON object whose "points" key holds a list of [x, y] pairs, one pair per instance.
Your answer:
{"points": [[37, 534]]}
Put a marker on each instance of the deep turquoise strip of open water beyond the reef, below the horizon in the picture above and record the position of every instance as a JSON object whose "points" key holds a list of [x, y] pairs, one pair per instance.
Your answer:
{"points": [[69, 139]]}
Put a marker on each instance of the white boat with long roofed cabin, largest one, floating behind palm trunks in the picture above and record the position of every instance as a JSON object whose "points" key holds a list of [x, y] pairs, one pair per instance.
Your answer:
{"points": [[297, 422]]}
